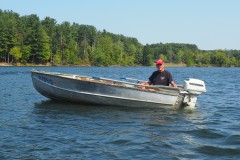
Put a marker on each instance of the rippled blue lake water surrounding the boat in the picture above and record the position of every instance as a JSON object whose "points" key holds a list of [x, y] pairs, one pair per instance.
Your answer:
{"points": [[33, 127]]}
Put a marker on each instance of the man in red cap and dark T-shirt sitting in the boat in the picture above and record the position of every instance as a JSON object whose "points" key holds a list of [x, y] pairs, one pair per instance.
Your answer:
{"points": [[161, 76]]}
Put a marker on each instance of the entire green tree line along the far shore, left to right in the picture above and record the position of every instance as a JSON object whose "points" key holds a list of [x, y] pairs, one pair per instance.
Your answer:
{"points": [[27, 39]]}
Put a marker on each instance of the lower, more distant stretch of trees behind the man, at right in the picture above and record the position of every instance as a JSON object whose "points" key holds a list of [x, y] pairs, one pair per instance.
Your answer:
{"points": [[190, 55]]}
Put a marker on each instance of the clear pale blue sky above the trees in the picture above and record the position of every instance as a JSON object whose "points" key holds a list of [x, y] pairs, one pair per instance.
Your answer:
{"points": [[210, 24]]}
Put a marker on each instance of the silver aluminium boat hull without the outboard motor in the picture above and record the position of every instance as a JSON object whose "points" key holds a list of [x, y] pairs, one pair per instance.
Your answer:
{"points": [[72, 88]]}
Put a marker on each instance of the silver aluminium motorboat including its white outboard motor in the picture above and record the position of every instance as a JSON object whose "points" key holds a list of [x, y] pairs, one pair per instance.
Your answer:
{"points": [[103, 91]]}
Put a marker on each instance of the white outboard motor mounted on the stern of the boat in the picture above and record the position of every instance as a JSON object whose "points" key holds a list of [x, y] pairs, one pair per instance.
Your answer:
{"points": [[193, 87]]}
